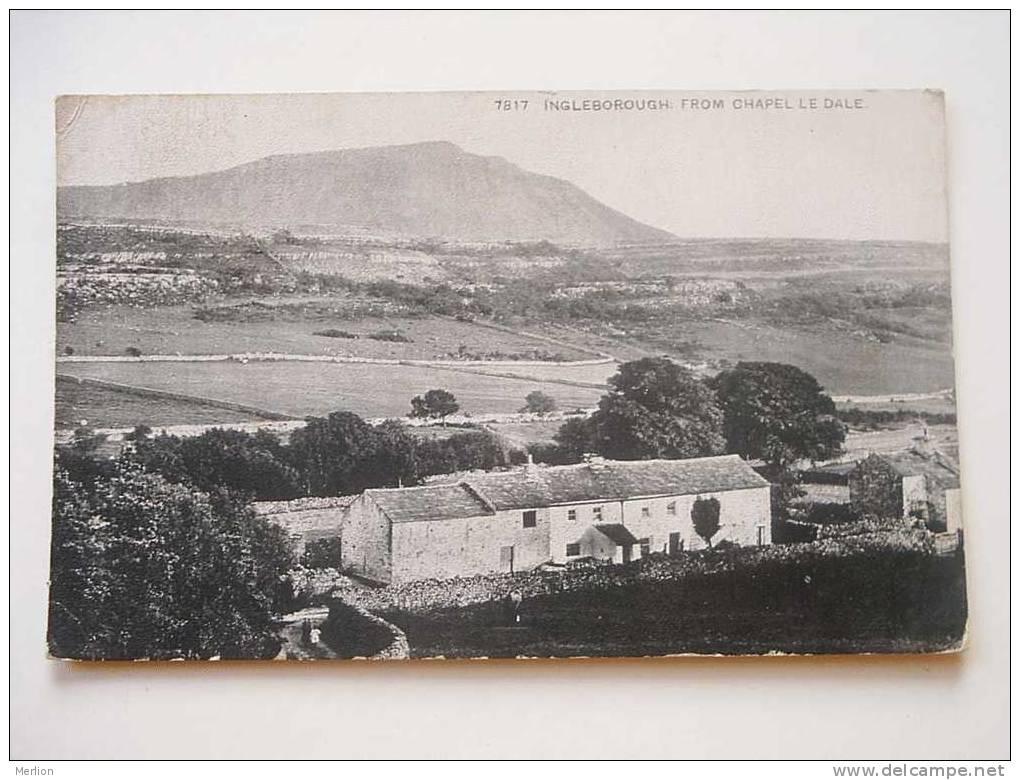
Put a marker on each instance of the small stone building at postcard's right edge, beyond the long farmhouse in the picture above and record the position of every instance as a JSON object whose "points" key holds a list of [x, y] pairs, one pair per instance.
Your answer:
{"points": [[922, 484]]}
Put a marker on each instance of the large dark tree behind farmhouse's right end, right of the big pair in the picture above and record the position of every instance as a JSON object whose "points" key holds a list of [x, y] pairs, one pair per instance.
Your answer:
{"points": [[779, 413]]}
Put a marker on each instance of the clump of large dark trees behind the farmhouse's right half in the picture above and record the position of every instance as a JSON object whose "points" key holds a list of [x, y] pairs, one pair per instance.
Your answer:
{"points": [[656, 408]]}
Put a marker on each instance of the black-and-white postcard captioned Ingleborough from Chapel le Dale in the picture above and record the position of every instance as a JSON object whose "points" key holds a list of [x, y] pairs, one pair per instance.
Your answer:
{"points": [[504, 376]]}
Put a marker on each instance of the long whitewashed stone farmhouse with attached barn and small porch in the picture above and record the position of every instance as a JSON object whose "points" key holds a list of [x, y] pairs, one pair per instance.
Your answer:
{"points": [[518, 521]]}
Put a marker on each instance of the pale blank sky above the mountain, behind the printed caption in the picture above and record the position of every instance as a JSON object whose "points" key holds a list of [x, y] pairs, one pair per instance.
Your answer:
{"points": [[873, 173]]}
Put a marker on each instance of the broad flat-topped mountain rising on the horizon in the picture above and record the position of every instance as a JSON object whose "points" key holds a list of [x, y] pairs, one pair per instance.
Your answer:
{"points": [[429, 190]]}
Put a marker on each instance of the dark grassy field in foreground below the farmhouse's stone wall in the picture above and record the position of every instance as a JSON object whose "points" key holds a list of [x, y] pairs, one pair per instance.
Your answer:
{"points": [[892, 603]]}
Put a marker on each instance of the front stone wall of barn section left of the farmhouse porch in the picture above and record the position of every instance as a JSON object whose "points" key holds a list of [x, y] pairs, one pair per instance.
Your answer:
{"points": [[466, 547]]}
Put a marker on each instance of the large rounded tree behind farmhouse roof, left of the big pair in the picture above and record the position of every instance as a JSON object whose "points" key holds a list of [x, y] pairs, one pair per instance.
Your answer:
{"points": [[657, 409]]}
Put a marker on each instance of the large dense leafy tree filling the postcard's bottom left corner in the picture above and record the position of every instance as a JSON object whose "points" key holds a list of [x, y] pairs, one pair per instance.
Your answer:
{"points": [[145, 568]]}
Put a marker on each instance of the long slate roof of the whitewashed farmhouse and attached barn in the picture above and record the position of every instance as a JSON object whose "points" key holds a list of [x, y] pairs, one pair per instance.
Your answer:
{"points": [[536, 487]]}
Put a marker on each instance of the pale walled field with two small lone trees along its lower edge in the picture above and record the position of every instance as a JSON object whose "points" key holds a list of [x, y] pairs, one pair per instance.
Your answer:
{"points": [[318, 389]]}
